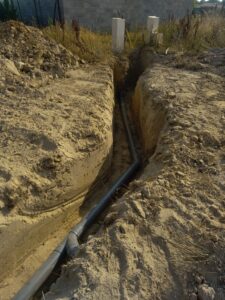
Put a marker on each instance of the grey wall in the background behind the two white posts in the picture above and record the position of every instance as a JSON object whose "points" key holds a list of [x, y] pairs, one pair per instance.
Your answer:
{"points": [[97, 14]]}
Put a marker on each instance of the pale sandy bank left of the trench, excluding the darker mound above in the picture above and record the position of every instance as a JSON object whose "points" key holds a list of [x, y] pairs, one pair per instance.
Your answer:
{"points": [[48, 136]]}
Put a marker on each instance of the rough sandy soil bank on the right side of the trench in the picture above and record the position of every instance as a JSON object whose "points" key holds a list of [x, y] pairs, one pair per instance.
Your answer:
{"points": [[164, 238]]}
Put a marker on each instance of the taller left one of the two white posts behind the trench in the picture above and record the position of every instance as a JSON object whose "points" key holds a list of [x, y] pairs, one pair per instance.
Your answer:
{"points": [[118, 34]]}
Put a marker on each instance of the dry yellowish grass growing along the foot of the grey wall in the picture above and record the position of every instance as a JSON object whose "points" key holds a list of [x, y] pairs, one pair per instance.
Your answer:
{"points": [[191, 34]]}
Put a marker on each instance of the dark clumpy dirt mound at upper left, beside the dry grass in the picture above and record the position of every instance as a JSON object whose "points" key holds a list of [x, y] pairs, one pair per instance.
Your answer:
{"points": [[33, 53]]}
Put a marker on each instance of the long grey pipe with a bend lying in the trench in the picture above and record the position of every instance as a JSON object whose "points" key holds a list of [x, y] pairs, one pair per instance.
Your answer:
{"points": [[71, 244]]}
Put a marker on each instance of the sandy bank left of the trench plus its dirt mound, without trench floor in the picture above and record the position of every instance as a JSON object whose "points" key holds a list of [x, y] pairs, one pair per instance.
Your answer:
{"points": [[49, 127]]}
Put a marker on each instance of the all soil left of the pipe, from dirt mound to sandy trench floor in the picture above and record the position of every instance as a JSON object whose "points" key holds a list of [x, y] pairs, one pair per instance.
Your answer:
{"points": [[56, 143]]}
